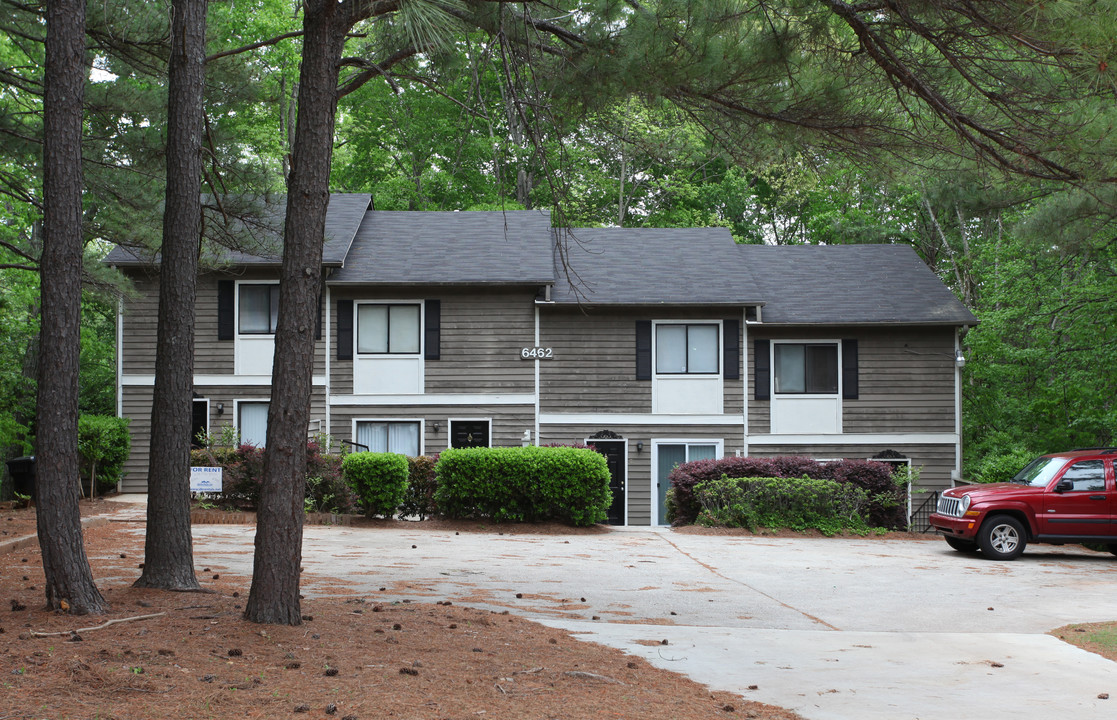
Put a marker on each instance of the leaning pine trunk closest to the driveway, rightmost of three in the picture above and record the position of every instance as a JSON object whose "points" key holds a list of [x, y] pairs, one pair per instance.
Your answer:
{"points": [[274, 594]]}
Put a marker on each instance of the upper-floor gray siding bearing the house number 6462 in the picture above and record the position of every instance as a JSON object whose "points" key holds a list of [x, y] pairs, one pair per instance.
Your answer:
{"points": [[482, 334]]}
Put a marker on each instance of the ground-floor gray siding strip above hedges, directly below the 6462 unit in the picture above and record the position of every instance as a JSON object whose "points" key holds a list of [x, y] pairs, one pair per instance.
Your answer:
{"points": [[508, 423]]}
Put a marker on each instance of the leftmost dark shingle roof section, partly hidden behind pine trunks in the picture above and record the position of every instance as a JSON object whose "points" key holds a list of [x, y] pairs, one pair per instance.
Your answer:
{"points": [[260, 235]]}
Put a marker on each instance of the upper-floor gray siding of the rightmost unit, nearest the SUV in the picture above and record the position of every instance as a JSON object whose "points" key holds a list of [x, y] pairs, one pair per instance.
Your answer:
{"points": [[906, 378]]}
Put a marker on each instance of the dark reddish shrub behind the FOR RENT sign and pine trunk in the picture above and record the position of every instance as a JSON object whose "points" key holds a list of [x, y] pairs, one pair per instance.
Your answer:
{"points": [[243, 477]]}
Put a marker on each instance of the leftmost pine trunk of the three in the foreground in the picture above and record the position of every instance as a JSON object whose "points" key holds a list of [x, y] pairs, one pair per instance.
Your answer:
{"points": [[69, 579]]}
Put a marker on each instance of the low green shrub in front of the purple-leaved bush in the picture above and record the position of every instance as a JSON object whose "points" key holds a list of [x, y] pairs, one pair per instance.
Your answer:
{"points": [[784, 503]]}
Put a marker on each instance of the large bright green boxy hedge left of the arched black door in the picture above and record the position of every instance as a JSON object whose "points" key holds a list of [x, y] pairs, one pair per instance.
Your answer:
{"points": [[568, 485]]}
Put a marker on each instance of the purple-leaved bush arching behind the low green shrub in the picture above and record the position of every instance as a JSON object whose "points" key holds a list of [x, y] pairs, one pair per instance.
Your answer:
{"points": [[886, 498]]}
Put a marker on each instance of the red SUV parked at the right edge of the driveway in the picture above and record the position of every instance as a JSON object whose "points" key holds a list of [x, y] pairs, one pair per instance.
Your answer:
{"points": [[1065, 497]]}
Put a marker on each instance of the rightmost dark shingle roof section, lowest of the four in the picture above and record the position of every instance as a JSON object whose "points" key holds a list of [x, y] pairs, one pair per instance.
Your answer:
{"points": [[852, 285]]}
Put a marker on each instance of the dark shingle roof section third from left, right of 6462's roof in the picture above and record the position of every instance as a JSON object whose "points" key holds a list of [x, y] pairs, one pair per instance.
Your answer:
{"points": [[653, 266]]}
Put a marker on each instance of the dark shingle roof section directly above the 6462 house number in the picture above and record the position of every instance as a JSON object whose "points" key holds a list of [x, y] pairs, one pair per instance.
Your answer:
{"points": [[451, 248]]}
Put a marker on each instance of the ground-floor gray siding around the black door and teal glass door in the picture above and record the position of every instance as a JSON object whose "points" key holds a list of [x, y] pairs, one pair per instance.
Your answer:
{"points": [[641, 479]]}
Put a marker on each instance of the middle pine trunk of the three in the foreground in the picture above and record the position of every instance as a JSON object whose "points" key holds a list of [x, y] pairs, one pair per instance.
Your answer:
{"points": [[169, 560]]}
